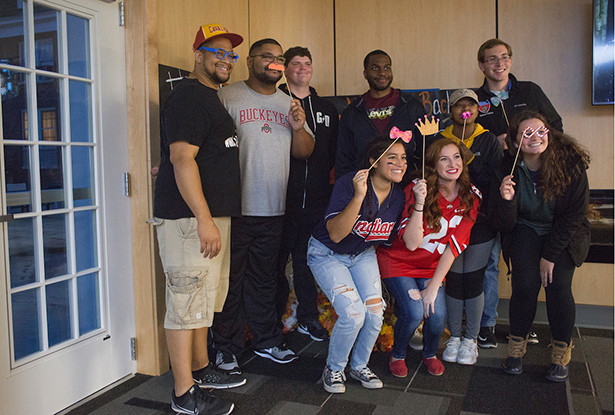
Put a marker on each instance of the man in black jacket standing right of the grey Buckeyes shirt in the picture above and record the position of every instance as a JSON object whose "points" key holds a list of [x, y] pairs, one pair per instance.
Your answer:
{"points": [[309, 190]]}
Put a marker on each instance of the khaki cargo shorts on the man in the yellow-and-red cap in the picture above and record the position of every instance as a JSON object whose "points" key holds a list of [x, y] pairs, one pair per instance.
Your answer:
{"points": [[196, 287]]}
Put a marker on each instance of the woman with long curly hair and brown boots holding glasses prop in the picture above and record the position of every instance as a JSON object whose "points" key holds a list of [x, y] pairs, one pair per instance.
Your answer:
{"points": [[541, 210]]}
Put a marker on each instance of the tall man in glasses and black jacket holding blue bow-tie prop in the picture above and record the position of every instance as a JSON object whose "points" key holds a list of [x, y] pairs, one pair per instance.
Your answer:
{"points": [[501, 97]]}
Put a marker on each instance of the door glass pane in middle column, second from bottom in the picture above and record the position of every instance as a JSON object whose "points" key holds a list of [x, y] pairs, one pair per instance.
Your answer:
{"points": [[54, 245]]}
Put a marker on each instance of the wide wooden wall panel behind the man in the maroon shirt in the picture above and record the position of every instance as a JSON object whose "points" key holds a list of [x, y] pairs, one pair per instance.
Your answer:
{"points": [[432, 44]]}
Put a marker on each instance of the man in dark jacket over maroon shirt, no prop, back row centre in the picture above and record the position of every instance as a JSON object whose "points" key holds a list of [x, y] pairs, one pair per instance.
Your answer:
{"points": [[375, 113]]}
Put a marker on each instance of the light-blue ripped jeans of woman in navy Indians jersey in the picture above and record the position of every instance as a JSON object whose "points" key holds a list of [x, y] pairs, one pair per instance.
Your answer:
{"points": [[352, 284]]}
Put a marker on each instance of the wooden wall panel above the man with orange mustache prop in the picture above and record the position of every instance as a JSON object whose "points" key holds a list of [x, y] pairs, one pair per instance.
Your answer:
{"points": [[308, 24]]}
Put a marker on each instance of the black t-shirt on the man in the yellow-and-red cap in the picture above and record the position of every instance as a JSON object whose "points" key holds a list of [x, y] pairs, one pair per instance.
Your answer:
{"points": [[194, 113]]}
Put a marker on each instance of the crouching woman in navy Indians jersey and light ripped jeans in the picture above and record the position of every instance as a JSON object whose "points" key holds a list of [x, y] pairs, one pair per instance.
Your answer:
{"points": [[364, 208]]}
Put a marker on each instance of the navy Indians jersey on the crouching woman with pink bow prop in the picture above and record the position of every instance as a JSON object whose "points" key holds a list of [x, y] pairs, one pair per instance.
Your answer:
{"points": [[365, 233]]}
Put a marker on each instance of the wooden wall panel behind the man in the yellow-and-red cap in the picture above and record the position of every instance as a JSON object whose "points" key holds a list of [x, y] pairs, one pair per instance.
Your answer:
{"points": [[178, 22]]}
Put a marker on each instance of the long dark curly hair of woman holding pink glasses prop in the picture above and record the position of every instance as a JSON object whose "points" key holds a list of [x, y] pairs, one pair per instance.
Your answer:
{"points": [[563, 159]]}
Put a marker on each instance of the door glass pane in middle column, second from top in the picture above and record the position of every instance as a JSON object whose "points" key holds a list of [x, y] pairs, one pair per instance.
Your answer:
{"points": [[48, 101]]}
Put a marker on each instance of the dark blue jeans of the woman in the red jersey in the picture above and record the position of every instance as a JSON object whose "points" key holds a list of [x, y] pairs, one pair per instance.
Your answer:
{"points": [[409, 312]]}
